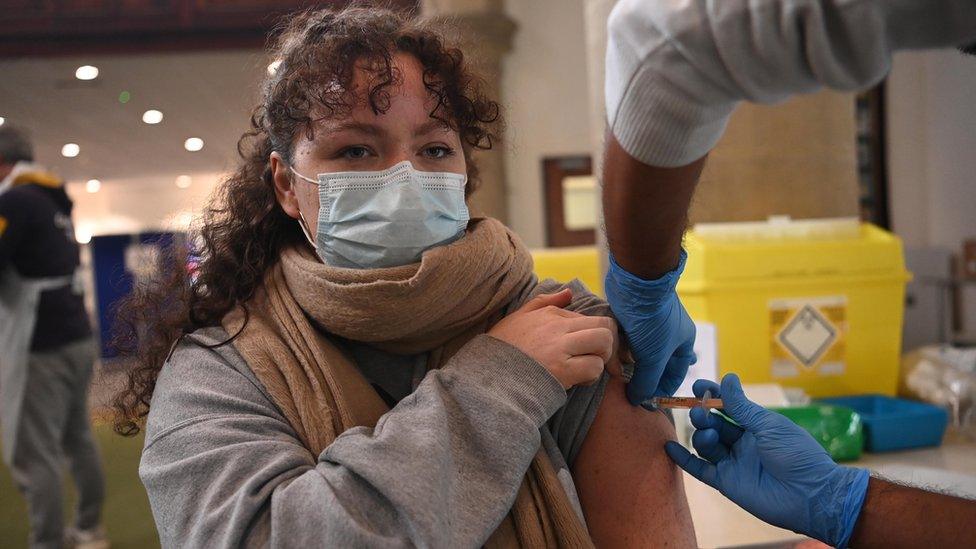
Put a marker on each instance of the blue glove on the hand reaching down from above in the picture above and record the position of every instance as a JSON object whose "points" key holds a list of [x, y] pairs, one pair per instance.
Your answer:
{"points": [[659, 331]]}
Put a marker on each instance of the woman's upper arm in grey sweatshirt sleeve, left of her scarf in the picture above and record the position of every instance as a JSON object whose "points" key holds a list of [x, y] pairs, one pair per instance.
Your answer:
{"points": [[216, 450]]}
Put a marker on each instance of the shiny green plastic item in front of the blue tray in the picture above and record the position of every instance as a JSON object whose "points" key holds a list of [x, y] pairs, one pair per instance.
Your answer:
{"points": [[836, 428]]}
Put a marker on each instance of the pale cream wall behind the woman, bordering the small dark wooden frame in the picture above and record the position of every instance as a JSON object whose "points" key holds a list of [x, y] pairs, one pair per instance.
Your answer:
{"points": [[544, 87]]}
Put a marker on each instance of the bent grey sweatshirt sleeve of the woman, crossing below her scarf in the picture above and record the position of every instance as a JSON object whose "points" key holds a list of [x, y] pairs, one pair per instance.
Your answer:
{"points": [[223, 468]]}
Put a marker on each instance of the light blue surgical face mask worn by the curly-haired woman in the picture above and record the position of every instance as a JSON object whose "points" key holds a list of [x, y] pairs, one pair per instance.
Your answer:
{"points": [[369, 220]]}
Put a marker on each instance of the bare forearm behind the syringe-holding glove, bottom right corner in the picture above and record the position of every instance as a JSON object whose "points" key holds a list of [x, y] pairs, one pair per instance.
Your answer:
{"points": [[901, 516]]}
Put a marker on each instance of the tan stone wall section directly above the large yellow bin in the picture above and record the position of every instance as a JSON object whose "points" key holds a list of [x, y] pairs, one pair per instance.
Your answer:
{"points": [[797, 158]]}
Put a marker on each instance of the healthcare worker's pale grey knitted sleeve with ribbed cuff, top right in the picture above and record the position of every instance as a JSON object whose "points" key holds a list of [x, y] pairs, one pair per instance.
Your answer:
{"points": [[677, 68]]}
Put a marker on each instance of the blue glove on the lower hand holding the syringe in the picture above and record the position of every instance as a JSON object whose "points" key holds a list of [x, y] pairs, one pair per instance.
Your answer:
{"points": [[771, 467]]}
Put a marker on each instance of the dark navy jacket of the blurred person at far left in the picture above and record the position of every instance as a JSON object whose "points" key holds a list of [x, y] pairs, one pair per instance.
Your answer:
{"points": [[37, 239]]}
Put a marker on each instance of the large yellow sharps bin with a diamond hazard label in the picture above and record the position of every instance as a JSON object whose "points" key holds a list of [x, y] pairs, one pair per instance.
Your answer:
{"points": [[811, 304]]}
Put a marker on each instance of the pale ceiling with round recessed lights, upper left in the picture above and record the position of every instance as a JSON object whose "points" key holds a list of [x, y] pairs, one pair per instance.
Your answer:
{"points": [[207, 95]]}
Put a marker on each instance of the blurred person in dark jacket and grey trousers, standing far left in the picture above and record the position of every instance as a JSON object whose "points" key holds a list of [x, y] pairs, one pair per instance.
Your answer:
{"points": [[46, 351]]}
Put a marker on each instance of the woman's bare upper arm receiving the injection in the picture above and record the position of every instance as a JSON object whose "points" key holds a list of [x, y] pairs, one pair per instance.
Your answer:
{"points": [[631, 493]]}
